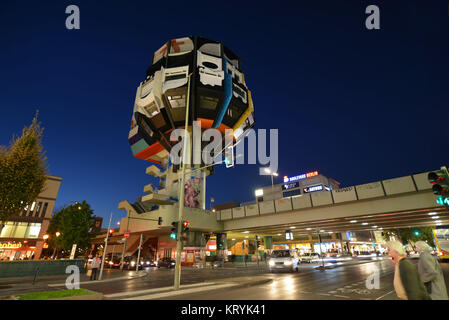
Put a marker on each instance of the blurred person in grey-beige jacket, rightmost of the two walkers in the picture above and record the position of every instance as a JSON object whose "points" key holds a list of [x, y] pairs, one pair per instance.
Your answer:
{"points": [[431, 273]]}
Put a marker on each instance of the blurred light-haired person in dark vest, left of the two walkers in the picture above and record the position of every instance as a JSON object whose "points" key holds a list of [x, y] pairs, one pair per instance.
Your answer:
{"points": [[407, 282]]}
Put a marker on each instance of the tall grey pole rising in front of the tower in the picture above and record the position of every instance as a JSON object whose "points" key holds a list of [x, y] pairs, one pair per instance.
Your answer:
{"points": [[181, 197]]}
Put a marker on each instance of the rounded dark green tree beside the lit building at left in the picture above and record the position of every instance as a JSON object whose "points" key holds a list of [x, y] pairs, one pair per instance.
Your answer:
{"points": [[73, 223]]}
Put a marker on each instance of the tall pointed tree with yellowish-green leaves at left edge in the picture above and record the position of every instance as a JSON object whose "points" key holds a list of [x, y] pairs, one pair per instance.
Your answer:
{"points": [[23, 171]]}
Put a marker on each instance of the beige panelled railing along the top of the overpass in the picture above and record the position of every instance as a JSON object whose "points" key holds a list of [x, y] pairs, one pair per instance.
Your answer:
{"points": [[384, 188]]}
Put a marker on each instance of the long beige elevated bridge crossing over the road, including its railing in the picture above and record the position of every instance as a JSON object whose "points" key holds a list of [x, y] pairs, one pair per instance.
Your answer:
{"points": [[400, 202]]}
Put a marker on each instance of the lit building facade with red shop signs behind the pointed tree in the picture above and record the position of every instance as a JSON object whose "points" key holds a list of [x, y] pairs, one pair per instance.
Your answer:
{"points": [[22, 236]]}
